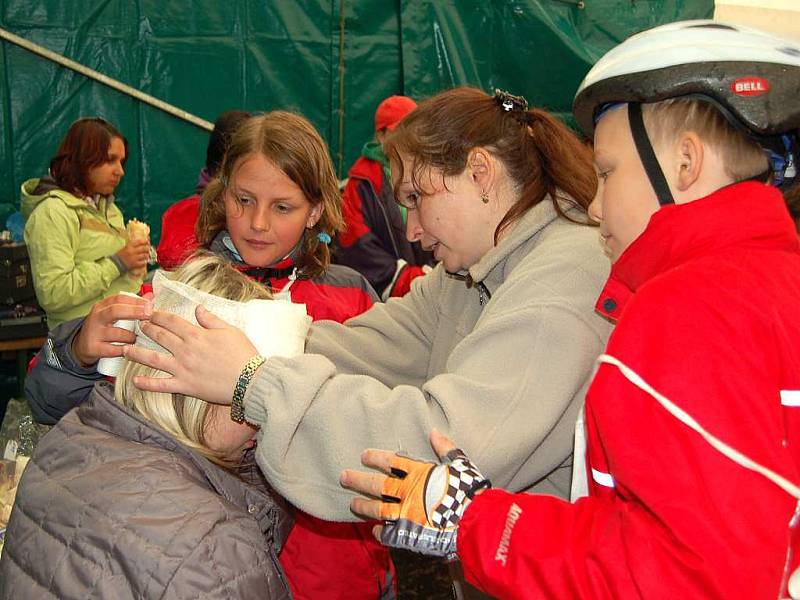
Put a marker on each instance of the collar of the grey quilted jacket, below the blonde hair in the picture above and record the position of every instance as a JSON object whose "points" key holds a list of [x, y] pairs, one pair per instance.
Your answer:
{"points": [[102, 412]]}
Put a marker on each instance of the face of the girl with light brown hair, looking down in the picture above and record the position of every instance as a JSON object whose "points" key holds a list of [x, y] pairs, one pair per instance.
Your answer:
{"points": [[266, 213]]}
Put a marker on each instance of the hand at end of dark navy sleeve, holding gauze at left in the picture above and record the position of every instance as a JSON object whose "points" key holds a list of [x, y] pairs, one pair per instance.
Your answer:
{"points": [[94, 339]]}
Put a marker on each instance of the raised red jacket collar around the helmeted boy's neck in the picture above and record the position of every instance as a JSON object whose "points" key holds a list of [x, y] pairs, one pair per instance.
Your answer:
{"points": [[748, 213]]}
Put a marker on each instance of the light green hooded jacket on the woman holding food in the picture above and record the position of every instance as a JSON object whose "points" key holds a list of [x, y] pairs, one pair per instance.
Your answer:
{"points": [[70, 245]]}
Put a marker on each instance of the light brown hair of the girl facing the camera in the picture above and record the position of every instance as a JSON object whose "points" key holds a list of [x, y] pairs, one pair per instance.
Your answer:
{"points": [[291, 142]]}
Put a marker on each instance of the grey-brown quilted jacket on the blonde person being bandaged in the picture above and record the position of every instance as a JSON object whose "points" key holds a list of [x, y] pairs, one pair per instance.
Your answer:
{"points": [[111, 506]]}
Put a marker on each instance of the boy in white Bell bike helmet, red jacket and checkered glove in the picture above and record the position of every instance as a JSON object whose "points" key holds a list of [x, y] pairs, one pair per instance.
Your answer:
{"points": [[692, 422]]}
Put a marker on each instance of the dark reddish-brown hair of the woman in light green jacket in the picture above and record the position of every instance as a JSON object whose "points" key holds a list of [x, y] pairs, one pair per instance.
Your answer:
{"points": [[84, 147]]}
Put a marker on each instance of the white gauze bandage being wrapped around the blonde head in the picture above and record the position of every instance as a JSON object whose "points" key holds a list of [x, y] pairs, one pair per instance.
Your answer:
{"points": [[275, 327]]}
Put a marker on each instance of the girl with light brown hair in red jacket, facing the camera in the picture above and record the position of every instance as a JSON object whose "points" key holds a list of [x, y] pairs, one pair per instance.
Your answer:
{"points": [[272, 212]]}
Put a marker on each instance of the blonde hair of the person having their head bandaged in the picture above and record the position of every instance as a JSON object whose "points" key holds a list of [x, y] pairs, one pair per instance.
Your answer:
{"points": [[185, 417]]}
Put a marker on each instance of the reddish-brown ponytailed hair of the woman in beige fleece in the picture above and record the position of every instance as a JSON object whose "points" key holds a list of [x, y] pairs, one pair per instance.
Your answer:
{"points": [[541, 155]]}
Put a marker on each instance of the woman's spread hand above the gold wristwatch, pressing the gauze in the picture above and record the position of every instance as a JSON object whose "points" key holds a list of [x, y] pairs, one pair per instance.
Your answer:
{"points": [[205, 362]]}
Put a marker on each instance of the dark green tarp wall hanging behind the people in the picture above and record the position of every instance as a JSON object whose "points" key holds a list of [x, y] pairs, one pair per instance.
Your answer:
{"points": [[333, 61]]}
